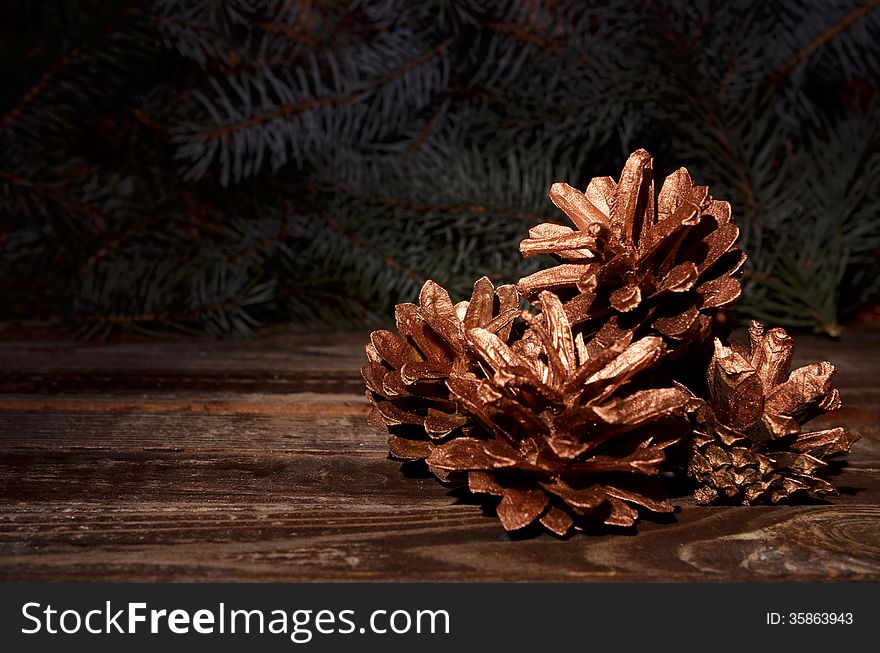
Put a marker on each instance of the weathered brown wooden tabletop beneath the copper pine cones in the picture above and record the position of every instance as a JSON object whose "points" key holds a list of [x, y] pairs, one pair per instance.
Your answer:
{"points": [[251, 461]]}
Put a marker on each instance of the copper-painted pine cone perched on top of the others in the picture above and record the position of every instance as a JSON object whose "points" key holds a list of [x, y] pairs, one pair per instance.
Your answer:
{"points": [[663, 270]]}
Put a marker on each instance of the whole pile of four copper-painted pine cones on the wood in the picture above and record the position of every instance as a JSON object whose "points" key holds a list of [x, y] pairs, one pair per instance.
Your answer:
{"points": [[570, 411]]}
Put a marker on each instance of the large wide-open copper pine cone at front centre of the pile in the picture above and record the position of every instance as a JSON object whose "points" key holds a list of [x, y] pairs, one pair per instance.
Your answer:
{"points": [[569, 434]]}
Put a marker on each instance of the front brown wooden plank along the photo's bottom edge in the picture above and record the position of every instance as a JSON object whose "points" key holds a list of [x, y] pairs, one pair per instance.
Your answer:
{"points": [[319, 516]]}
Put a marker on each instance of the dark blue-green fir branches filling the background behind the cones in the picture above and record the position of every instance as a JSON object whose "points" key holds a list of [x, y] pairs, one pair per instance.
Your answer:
{"points": [[216, 166]]}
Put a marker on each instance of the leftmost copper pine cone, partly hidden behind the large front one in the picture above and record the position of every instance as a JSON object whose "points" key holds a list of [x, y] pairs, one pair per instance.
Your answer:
{"points": [[406, 370]]}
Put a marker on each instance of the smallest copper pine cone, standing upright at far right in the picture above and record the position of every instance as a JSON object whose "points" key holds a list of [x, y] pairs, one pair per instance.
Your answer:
{"points": [[748, 446]]}
